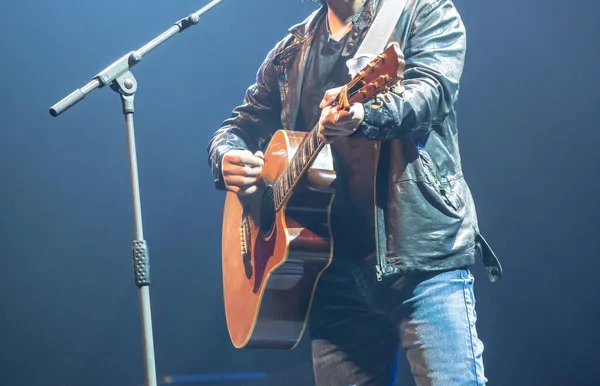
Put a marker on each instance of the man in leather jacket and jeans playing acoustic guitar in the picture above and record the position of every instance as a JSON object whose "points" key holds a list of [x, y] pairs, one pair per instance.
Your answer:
{"points": [[403, 219]]}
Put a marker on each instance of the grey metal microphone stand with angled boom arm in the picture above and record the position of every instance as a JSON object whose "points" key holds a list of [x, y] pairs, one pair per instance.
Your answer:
{"points": [[122, 81]]}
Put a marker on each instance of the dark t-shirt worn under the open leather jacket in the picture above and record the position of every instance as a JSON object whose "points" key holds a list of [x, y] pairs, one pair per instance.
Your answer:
{"points": [[352, 216]]}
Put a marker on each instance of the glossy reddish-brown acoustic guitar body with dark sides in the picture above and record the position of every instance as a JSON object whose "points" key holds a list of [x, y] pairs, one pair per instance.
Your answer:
{"points": [[272, 260]]}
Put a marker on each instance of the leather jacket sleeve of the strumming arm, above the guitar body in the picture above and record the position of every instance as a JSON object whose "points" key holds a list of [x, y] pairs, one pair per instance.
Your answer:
{"points": [[252, 123]]}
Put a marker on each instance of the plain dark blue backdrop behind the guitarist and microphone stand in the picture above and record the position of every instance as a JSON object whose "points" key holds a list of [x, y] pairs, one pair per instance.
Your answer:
{"points": [[68, 307]]}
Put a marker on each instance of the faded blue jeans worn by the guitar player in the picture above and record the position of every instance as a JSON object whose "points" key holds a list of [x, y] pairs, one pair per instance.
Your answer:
{"points": [[357, 326]]}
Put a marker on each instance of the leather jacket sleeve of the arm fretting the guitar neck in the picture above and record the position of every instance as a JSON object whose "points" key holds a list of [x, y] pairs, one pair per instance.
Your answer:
{"points": [[434, 55]]}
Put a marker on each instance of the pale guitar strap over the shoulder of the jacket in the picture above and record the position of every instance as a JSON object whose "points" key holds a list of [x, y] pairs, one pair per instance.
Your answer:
{"points": [[378, 35]]}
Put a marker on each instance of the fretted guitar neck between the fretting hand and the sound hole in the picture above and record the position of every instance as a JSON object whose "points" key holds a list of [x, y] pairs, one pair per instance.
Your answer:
{"points": [[300, 163]]}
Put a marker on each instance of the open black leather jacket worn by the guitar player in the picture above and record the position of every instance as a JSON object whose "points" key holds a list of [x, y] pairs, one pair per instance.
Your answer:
{"points": [[425, 215]]}
